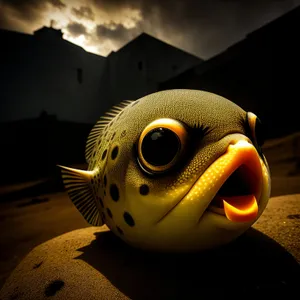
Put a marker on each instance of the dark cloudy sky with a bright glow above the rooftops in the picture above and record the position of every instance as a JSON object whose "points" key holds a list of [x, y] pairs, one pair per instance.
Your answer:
{"points": [[203, 27]]}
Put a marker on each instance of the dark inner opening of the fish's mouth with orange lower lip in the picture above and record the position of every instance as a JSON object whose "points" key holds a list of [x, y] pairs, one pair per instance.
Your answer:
{"points": [[238, 196]]}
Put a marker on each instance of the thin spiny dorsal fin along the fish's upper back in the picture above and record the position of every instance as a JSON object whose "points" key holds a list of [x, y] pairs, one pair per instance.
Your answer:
{"points": [[96, 132]]}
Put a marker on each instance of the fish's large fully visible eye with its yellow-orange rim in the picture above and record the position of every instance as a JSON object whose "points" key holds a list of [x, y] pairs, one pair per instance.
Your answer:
{"points": [[161, 145]]}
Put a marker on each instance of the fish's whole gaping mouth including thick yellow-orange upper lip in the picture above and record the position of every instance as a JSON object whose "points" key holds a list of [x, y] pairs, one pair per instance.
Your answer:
{"points": [[230, 187]]}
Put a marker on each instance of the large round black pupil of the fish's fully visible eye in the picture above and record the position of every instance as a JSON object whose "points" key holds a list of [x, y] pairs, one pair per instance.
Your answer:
{"points": [[160, 146]]}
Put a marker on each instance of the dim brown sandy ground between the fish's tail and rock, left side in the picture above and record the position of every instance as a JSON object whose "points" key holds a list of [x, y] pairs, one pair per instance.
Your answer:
{"points": [[25, 225]]}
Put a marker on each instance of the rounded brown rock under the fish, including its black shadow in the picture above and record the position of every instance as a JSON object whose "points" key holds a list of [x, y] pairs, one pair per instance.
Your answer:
{"points": [[91, 263]]}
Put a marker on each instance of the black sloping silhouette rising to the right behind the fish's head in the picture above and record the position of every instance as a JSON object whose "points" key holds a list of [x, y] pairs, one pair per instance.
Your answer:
{"points": [[260, 73]]}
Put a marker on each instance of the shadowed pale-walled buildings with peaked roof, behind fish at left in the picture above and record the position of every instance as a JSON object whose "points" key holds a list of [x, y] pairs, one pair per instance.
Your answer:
{"points": [[45, 72]]}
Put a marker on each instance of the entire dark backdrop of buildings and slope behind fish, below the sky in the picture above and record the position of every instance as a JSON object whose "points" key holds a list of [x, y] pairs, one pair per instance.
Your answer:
{"points": [[62, 90]]}
